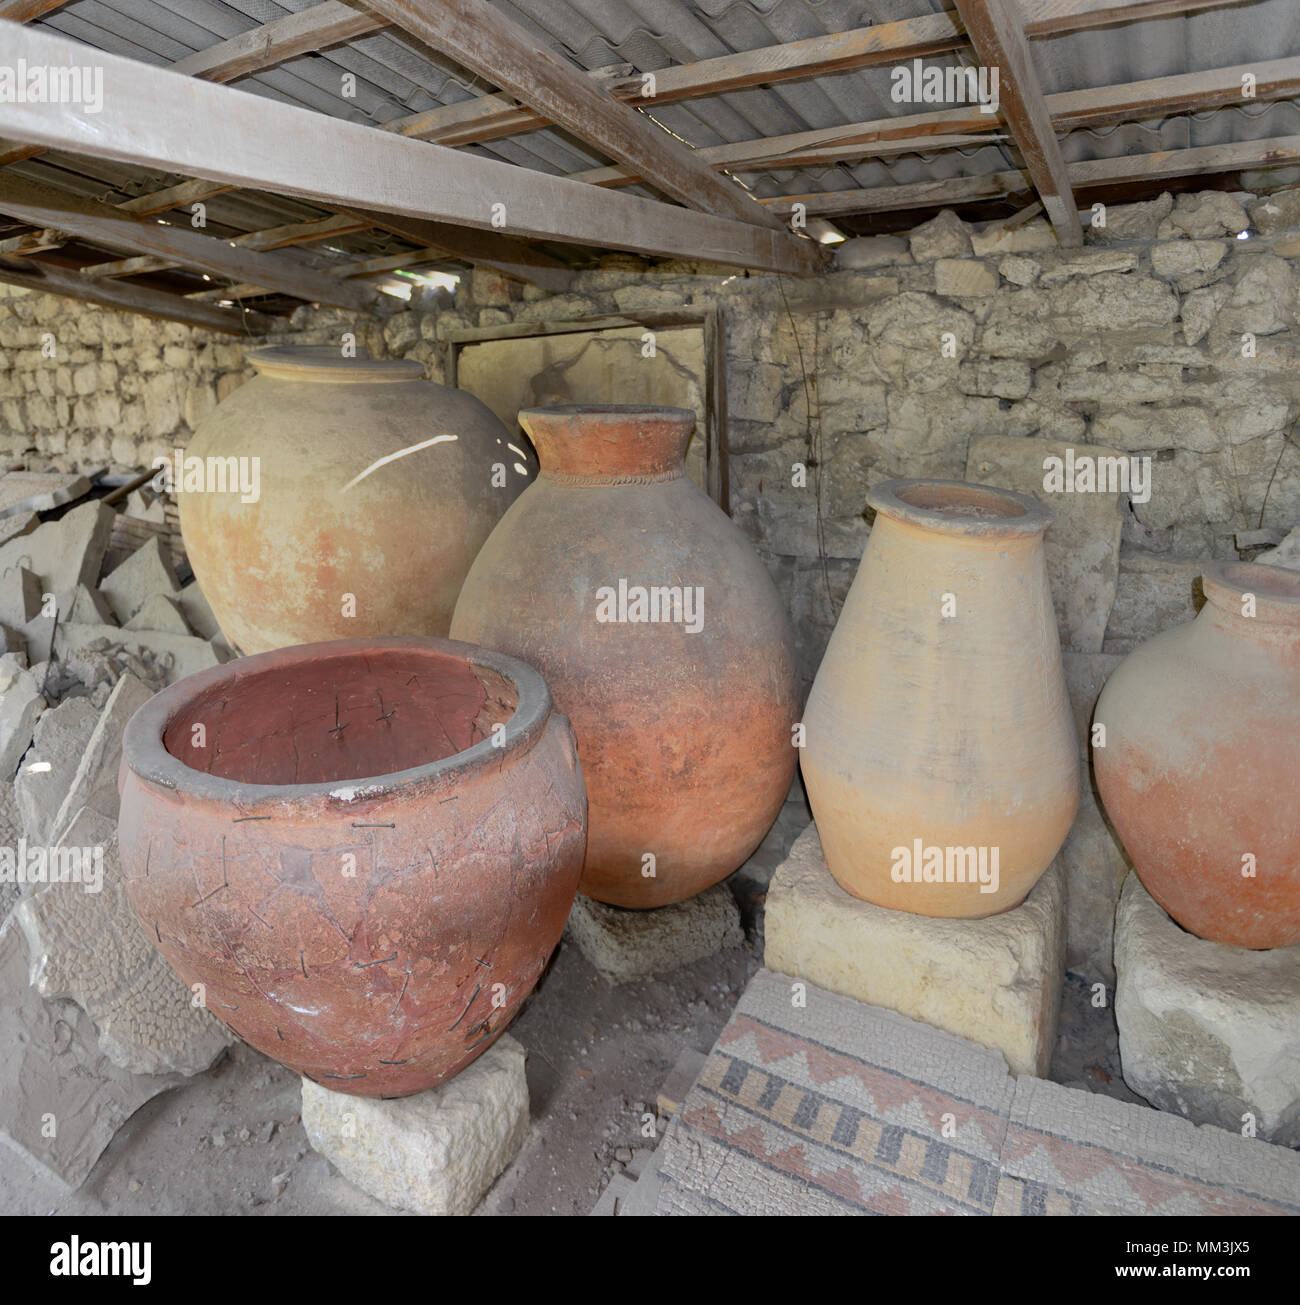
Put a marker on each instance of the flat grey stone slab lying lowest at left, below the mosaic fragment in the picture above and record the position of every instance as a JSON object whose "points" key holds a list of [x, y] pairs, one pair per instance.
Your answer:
{"points": [[62, 1099]]}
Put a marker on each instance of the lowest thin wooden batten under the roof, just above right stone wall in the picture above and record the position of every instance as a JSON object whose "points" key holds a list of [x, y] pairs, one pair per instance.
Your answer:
{"points": [[1275, 152]]}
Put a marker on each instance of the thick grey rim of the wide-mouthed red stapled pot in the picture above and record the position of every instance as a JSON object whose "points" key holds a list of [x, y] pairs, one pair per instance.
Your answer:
{"points": [[147, 756]]}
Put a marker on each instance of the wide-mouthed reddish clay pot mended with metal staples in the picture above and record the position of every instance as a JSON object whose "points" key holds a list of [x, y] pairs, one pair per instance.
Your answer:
{"points": [[364, 872]]}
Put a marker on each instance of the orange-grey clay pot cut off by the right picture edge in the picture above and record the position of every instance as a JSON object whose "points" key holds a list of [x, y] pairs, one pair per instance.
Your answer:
{"points": [[1200, 768]]}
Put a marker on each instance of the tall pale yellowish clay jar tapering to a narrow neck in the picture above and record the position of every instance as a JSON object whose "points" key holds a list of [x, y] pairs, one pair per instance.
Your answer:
{"points": [[939, 726]]}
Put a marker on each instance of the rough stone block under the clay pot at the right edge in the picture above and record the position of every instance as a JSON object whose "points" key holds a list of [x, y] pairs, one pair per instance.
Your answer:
{"points": [[1207, 1030]]}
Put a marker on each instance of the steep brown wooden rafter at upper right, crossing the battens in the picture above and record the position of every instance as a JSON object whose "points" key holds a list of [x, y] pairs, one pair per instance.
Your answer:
{"points": [[998, 33]]}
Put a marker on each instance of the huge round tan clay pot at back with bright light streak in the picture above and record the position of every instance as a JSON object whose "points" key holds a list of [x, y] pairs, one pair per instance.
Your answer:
{"points": [[374, 484]]}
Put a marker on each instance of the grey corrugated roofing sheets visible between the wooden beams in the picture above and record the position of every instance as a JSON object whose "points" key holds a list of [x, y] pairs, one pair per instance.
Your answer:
{"points": [[397, 76]]}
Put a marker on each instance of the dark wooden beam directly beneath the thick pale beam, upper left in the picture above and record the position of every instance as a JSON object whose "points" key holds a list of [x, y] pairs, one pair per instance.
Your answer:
{"points": [[102, 224]]}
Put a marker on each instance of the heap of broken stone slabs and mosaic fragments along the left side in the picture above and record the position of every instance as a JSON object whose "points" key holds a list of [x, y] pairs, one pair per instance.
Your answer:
{"points": [[102, 1020]]}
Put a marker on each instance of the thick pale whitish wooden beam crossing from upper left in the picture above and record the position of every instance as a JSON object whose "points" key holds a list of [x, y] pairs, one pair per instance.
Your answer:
{"points": [[156, 118]]}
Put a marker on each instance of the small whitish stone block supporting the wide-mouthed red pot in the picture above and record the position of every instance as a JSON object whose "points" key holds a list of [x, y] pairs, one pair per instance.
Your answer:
{"points": [[437, 1153]]}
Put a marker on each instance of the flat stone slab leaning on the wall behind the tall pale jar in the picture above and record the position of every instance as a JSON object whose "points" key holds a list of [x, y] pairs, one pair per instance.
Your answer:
{"points": [[1083, 547]]}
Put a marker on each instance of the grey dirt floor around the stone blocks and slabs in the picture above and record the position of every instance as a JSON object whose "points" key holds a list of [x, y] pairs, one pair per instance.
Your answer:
{"points": [[232, 1141]]}
